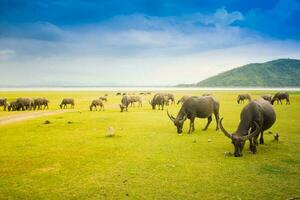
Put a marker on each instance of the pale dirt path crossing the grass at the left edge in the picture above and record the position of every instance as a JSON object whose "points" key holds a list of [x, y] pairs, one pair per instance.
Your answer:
{"points": [[27, 116]]}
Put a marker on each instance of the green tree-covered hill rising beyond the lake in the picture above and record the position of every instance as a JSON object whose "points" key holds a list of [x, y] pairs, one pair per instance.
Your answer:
{"points": [[276, 73]]}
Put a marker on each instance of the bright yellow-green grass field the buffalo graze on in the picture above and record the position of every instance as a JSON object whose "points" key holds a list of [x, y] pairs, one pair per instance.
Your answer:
{"points": [[146, 159]]}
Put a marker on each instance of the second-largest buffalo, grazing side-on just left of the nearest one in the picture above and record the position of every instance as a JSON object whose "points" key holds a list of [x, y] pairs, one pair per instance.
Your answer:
{"points": [[196, 107]]}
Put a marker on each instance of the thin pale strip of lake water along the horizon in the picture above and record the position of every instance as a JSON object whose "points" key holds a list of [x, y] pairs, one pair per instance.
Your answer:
{"points": [[146, 89]]}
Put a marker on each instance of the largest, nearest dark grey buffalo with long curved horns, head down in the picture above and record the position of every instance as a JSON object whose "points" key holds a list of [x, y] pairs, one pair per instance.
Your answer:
{"points": [[255, 118]]}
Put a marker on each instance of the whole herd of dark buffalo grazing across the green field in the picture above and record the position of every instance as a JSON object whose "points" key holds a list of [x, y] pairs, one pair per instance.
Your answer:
{"points": [[256, 117]]}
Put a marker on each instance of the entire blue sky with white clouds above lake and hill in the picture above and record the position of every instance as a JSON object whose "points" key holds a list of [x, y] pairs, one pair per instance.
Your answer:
{"points": [[140, 42]]}
